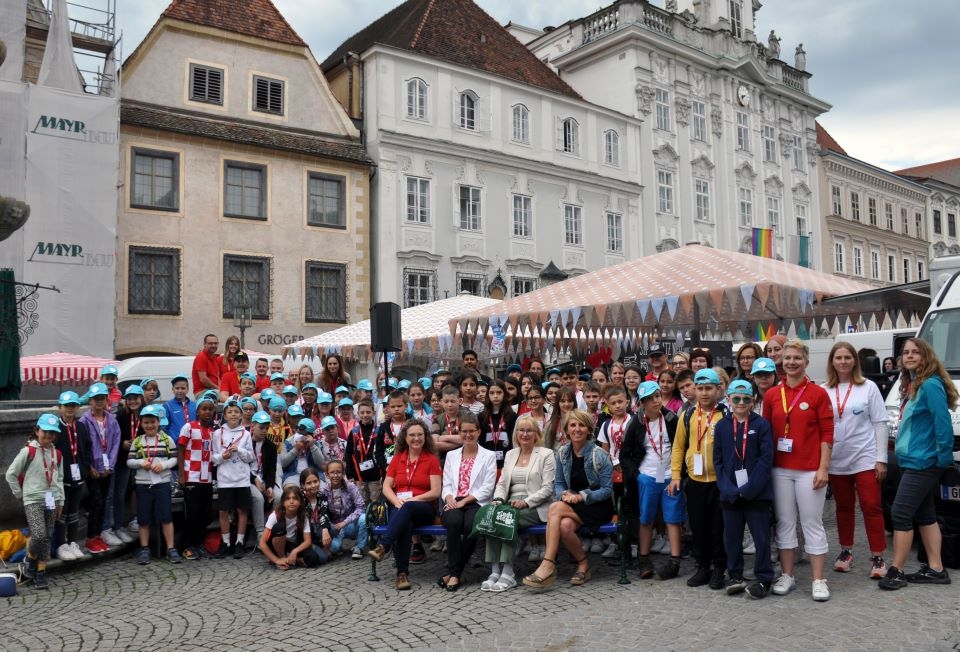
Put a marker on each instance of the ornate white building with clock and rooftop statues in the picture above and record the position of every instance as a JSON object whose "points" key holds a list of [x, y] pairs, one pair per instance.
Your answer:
{"points": [[728, 139]]}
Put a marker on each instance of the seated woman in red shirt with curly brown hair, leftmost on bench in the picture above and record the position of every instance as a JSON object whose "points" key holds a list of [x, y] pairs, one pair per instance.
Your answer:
{"points": [[411, 489]]}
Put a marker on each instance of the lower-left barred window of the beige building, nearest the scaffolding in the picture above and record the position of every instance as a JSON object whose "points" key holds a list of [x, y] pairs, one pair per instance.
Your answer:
{"points": [[153, 281]]}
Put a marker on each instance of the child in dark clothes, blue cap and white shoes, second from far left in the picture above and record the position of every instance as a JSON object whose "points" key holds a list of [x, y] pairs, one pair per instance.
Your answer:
{"points": [[74, 446]]}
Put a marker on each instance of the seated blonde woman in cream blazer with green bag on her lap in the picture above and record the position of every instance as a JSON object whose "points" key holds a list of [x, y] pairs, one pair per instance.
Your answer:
{"points": [[526, 482]]}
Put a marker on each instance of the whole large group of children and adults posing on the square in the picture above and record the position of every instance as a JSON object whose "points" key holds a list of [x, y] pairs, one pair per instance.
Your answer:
{"points": [[737, 457]]}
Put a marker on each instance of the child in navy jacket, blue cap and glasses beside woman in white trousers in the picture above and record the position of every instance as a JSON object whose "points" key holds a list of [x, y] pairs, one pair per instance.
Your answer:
{"points": [[743, 459]]}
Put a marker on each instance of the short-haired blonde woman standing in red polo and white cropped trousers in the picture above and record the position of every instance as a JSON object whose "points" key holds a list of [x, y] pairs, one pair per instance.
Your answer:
{"points": [[801, 416]]}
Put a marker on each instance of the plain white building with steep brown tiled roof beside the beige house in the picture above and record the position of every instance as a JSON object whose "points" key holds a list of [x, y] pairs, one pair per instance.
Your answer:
{"points": [[489, 166]]}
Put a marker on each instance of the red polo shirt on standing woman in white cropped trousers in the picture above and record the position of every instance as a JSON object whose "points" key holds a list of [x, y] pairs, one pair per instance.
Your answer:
{"points": [[811, 423]]}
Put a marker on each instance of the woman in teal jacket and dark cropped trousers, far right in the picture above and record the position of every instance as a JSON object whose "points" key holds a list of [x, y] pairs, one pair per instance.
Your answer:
{"points": [[925, 450]]}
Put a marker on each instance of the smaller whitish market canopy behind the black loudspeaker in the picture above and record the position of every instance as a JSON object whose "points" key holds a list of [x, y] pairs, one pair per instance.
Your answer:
{"points": [[424, 331]]}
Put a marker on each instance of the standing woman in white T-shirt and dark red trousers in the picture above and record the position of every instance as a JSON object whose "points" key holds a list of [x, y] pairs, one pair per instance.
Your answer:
{"points": [[858, 463]]}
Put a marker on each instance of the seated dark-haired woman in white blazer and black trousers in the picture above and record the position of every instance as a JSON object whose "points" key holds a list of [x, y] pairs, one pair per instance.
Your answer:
{"points": [[469, 474]]}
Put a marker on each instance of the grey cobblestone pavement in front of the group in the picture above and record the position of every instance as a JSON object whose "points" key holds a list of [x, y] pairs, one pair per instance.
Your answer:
{"points": [[240, 605]]}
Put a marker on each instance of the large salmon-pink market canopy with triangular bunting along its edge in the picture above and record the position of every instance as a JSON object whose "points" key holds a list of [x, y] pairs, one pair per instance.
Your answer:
{"points": [[722, 293]]}
